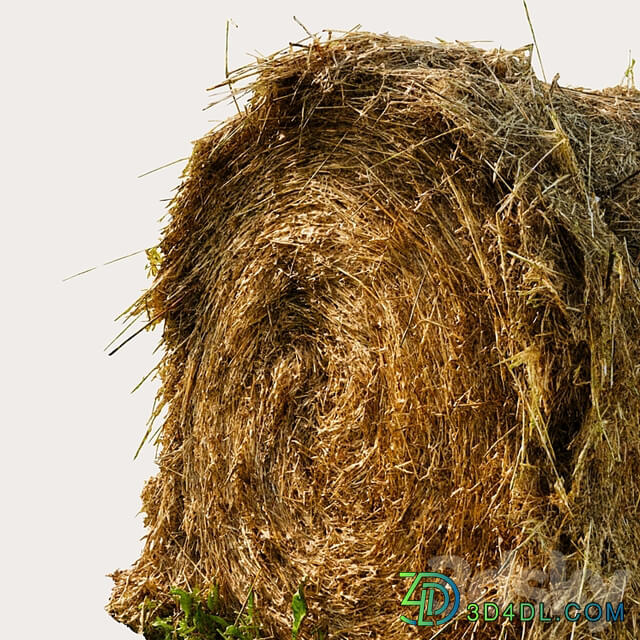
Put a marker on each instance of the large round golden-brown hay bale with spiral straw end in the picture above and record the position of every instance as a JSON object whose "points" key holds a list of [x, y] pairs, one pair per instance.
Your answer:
{"points": [[400, 295]]}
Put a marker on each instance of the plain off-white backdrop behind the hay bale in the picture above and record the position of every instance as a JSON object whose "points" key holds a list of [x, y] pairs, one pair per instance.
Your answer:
{"points": [[92, 94]]}
